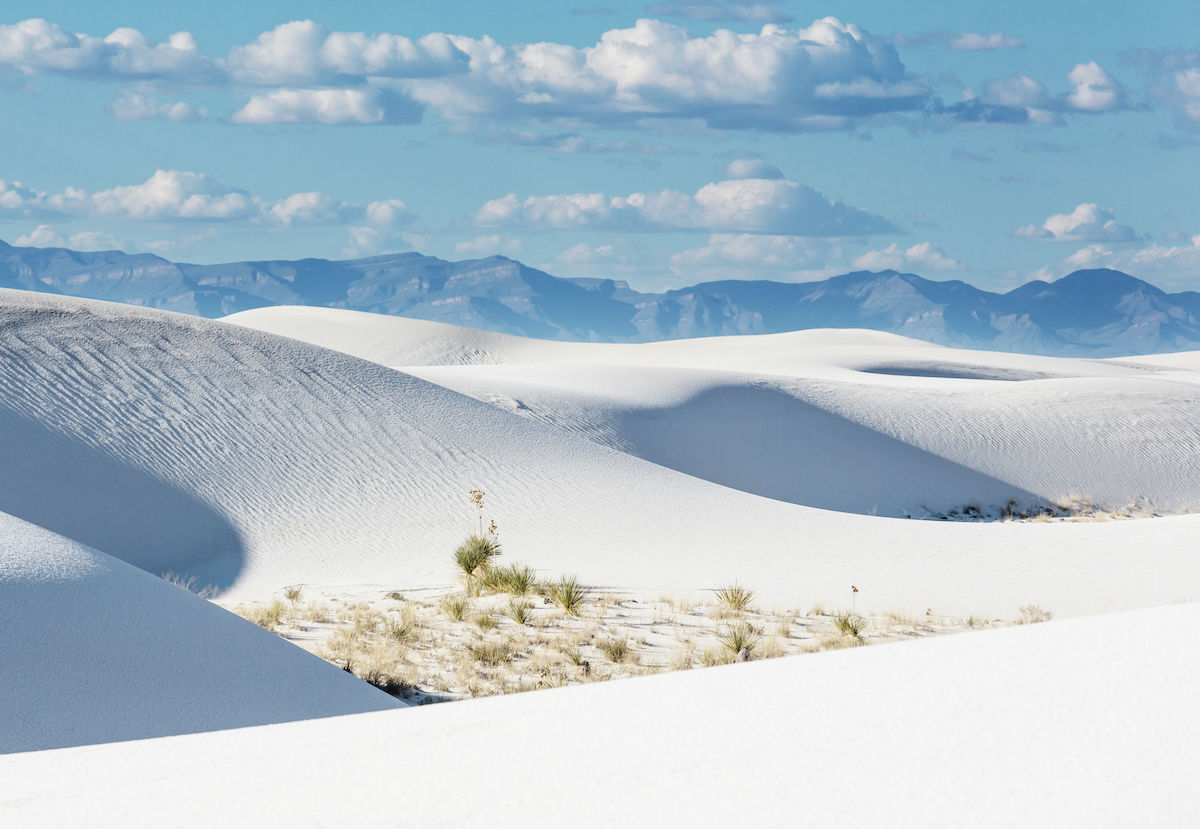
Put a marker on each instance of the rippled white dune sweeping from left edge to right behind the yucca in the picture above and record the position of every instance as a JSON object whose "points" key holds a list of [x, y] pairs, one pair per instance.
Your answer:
{"points": [[299, 465]]}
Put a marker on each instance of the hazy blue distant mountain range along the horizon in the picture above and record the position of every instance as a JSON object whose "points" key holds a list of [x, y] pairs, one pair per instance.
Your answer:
{"points": [[1088, 314]]}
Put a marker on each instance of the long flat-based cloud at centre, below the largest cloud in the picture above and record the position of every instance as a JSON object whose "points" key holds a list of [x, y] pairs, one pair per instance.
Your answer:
{"points": [[748, 206]]}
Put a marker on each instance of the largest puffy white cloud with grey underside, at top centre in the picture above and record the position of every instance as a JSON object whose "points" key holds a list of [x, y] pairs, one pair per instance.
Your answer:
{"points": [[817, 79]]}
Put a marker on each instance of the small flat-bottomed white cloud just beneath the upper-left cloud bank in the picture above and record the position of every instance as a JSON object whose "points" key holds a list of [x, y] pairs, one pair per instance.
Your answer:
{"points": [[328, 106]]}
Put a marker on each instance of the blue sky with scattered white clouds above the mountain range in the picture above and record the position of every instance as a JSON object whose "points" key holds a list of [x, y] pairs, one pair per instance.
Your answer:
{"points": [[664, 143]]}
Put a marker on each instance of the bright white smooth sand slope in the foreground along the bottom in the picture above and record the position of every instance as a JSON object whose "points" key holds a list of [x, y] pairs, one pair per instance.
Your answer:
{"points": [[1082, 723]]}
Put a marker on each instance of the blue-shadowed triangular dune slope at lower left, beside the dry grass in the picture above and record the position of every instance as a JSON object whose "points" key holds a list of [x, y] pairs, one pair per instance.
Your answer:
{"points": [[93, 651]]}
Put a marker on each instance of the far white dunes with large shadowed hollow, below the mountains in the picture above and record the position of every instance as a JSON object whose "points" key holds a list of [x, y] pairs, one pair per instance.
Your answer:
{"points": [[847, 420]]}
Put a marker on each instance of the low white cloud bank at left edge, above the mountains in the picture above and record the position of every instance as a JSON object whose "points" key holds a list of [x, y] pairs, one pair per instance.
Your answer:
{"points": [[194, 197]]}
